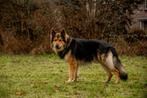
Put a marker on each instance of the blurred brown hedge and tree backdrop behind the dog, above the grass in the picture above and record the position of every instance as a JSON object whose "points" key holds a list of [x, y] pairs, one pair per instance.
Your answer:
{"points": [[25, 25]]}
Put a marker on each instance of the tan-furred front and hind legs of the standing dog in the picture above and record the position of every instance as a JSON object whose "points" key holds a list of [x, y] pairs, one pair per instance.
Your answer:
{"points": [[105, 60]]}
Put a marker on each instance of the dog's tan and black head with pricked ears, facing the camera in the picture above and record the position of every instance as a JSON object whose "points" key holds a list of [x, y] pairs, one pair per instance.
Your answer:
{"points": [[58, 40]]}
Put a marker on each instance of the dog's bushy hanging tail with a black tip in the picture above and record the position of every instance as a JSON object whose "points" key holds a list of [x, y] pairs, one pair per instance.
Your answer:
{"points": [[118, 65]]}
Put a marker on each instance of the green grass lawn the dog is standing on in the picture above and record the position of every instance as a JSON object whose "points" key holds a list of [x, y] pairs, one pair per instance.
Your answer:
{"points": [[43, 76]]}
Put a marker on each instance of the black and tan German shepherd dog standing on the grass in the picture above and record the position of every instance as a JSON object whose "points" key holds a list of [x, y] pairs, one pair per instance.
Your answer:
{"points": [[74, 50]]}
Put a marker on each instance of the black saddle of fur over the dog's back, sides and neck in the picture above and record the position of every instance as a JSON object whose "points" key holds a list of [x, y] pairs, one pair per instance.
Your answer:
{"points": [[86, 50]]}
